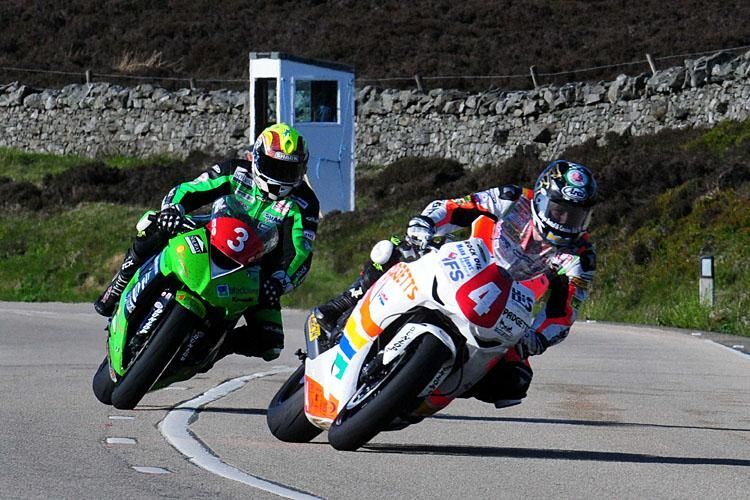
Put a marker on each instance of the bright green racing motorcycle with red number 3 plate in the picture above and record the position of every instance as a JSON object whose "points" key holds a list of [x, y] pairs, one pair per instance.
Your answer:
{"points": [[176, 311]]}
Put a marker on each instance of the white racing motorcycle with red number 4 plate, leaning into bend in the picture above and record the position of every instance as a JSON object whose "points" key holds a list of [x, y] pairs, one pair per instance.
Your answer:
{"points": [[425, 333]]}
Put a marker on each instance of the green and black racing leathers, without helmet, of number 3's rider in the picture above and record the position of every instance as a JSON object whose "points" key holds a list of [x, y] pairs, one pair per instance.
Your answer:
{"points": [[283, 269]]}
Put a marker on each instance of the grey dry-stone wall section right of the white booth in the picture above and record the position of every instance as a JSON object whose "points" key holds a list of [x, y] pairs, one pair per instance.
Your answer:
{"points": [[477, 129]]}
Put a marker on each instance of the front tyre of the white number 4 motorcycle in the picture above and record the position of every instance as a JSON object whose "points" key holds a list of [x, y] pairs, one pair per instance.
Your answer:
{"points": [[377, 403]]}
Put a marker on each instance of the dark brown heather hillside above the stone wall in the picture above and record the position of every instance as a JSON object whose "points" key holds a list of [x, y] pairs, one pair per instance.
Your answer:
{"points": [[210, 40]]}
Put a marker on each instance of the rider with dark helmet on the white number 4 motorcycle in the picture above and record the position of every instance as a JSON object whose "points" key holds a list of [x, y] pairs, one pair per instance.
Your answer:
{"points": [[540, 237]]}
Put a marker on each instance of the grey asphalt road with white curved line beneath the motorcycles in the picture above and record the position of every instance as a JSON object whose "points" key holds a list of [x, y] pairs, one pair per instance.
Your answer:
{"points": [[614, 412]]}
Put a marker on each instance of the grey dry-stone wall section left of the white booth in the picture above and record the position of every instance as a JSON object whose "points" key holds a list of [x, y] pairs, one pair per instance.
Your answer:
{"points": [[108, 119]]}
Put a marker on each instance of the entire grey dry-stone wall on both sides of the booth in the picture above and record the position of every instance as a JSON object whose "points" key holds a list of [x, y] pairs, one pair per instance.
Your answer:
{"points": [[474, 129]]}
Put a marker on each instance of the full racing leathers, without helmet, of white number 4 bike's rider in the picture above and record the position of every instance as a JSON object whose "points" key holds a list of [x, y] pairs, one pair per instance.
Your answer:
{"points": [[564, 273]]}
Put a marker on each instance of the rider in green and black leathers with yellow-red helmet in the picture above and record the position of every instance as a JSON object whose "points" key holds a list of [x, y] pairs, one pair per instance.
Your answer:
{"points": [[271, 182]]}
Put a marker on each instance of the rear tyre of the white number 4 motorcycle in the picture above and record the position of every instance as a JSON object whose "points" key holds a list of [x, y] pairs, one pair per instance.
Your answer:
{"points": [[286, 414]]}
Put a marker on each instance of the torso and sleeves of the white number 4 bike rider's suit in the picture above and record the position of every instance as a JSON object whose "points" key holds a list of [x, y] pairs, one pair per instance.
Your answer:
{"points": [[566, 272]]}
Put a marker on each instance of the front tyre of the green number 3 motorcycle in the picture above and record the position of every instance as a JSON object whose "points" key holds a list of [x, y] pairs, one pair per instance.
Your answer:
{"points": [[151, 362]]}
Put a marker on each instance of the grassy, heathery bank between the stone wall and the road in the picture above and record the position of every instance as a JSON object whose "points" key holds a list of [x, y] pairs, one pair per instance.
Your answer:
{"points": [[666, 200]]}
